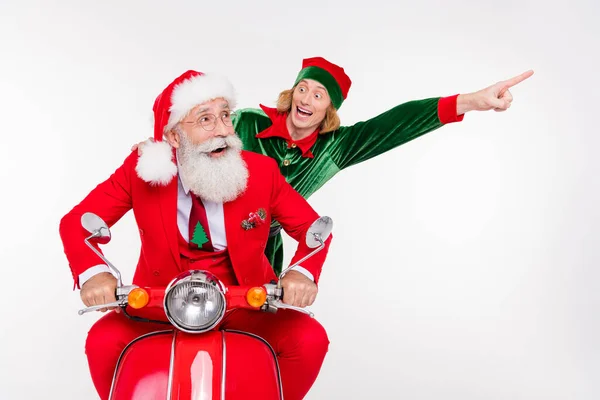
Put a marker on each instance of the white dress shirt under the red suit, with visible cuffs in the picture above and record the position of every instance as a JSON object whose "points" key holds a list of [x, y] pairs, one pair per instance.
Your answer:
{"points": [[216, 225]]}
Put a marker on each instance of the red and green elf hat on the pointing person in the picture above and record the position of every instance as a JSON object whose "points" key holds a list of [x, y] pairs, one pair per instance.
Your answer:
{"points": [[329, 75]]}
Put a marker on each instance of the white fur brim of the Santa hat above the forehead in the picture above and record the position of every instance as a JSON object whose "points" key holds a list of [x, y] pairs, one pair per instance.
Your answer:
{"points": [[198, 90]]}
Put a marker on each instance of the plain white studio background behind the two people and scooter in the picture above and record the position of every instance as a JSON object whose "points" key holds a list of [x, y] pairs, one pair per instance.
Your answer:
{"points": [[465, 263]]}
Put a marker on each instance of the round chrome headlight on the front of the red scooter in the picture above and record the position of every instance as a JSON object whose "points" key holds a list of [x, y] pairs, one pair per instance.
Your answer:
{"points": [[195, 301]]}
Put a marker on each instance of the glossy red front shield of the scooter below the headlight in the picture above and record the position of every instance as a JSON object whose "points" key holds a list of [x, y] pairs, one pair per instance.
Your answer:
{"points": [[173, 365]]}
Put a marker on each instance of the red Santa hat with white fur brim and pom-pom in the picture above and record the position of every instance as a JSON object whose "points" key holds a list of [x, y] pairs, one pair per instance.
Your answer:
{"points": [[157, 165]]}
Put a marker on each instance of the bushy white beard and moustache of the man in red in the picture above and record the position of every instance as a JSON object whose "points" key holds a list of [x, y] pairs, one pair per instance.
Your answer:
{"points": [[220, 179]]}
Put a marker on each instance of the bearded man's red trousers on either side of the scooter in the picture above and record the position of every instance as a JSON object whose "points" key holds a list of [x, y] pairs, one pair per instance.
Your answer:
{"points": [[299, 341]]}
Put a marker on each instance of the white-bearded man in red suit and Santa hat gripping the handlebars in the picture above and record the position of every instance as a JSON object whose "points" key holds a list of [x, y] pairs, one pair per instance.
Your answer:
{"points": [[201, 202]]}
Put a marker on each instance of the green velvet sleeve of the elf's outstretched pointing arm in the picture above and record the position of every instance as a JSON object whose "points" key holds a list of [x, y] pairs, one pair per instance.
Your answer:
{"points": [[367, 139]]}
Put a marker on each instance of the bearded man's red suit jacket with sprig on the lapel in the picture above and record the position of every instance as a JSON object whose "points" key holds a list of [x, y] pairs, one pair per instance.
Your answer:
{"points": [[155, 211]]}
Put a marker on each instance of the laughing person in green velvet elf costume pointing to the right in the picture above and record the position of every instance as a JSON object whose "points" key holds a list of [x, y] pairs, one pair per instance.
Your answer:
{"points": [[304, 136]]}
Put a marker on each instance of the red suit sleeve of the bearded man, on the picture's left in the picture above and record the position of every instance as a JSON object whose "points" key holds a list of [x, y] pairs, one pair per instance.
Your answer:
{"points": [[110, 200]]}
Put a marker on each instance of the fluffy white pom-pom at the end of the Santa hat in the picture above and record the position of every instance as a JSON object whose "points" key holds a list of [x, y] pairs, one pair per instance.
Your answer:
{"points": [[156, 165]]}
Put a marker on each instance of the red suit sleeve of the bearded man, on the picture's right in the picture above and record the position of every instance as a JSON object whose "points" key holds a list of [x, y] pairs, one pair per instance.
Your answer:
{"points": [[295, 215]]}
